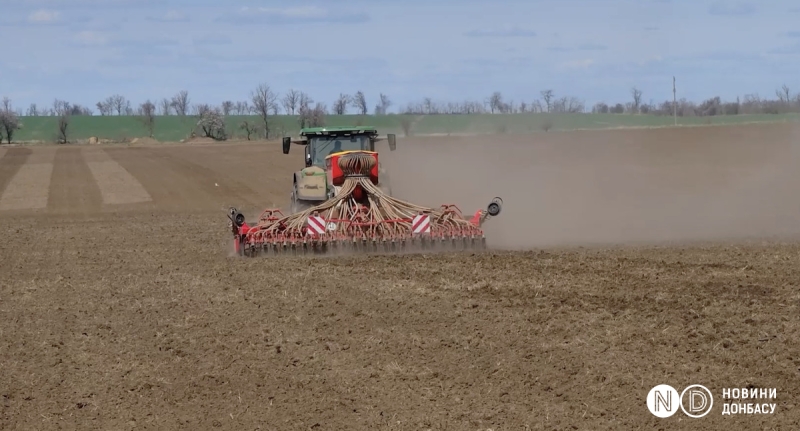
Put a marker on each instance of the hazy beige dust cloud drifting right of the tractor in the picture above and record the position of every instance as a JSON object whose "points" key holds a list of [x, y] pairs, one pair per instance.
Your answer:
{"points": [[612, 187]]}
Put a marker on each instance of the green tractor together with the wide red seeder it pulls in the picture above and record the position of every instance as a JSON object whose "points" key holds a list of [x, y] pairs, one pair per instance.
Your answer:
{"points": [[341, 203]]}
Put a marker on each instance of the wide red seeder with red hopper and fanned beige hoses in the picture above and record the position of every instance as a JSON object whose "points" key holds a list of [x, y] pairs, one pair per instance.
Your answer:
{"points": [[359, 217]]}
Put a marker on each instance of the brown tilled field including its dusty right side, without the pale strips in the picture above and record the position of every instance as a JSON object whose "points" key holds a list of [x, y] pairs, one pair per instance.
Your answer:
{"points": [[134, 315]]}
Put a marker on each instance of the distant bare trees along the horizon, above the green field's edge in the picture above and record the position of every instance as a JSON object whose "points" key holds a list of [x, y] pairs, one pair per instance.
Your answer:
{"points": [[294, 102]]}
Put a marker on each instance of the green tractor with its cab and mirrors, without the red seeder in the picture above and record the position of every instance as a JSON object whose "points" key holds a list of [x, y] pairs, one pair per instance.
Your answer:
{"points": [[310, 185]]}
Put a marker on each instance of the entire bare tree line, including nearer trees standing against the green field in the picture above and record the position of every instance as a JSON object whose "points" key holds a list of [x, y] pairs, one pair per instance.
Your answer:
{"points": [[264, 103]]}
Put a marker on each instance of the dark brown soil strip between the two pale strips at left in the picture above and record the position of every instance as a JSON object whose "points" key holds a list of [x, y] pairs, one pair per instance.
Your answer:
{"points": [[73, 189]]}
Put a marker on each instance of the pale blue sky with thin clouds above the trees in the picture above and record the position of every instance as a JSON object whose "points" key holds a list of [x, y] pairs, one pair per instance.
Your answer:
{"points": [[450, 50]]}
